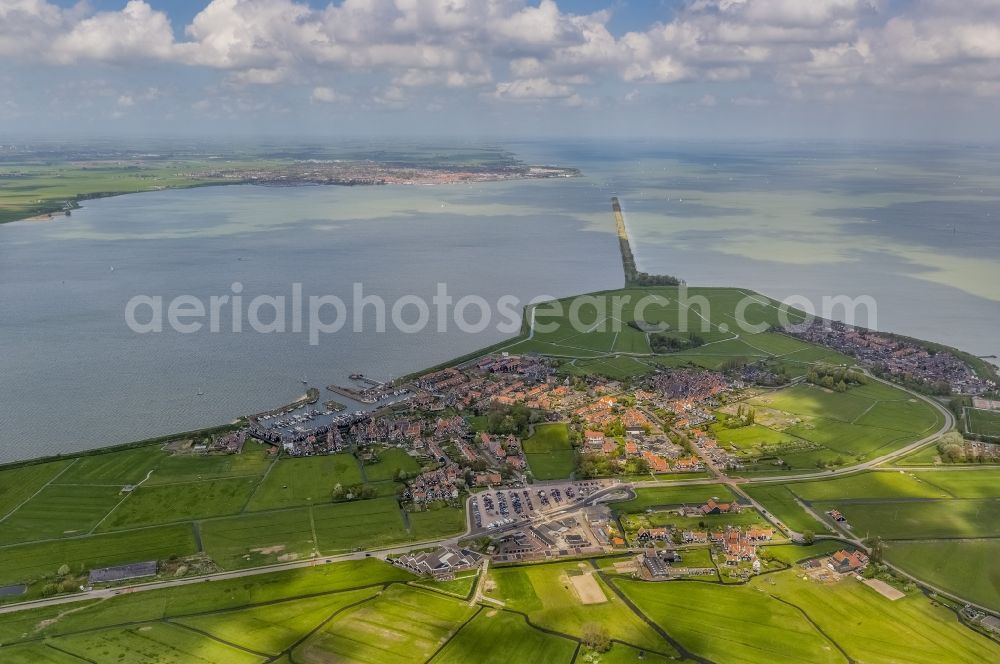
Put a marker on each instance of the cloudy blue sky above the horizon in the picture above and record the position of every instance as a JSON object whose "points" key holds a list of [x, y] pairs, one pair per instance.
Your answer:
{"points": [[699, 69]]}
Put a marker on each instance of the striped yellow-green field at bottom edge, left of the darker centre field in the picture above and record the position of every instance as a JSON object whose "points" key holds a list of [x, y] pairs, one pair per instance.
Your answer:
{"points": [[399, 626]]}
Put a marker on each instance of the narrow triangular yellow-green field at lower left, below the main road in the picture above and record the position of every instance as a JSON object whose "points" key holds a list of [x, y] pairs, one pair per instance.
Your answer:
{"points": [[275, 627]]}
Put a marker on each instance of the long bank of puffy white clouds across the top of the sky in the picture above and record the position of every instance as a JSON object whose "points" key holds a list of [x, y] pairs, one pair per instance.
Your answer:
{"points": [[538, 51]]}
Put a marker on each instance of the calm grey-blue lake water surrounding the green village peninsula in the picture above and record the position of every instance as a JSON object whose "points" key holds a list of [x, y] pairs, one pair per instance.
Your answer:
{"points": [[915, 228]]}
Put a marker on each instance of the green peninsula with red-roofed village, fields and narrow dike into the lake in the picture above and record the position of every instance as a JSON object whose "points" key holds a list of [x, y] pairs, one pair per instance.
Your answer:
{"points": [[639, 493]]}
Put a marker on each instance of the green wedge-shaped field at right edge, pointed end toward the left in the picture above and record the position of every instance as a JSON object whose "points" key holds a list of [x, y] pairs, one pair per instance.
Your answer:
{"points": [[967, 568]]}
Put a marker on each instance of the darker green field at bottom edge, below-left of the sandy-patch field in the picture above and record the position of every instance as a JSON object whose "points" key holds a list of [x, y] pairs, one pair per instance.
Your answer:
{"points": [[500, 637]]}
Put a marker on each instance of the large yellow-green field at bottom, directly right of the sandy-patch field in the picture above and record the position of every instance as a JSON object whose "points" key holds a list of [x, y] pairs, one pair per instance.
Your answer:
{"points": [[730, 623]]}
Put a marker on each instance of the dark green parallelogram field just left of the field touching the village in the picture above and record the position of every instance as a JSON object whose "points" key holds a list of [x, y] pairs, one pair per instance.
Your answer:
{"points": [[155, 504]]}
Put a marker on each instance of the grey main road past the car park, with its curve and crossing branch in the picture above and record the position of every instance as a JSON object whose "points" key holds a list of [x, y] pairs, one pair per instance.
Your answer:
{"points": [[718, 476]]}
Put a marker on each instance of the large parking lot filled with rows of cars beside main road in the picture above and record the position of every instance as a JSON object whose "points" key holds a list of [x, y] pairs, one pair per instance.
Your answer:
{"points": [[497, 508]]}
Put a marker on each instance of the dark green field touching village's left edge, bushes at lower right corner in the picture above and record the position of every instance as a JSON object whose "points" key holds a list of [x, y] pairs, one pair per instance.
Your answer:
{"points": [[303, 481]]}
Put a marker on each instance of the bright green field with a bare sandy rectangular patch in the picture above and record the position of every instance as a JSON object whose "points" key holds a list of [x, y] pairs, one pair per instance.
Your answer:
{"points": [[546, 594]]}
